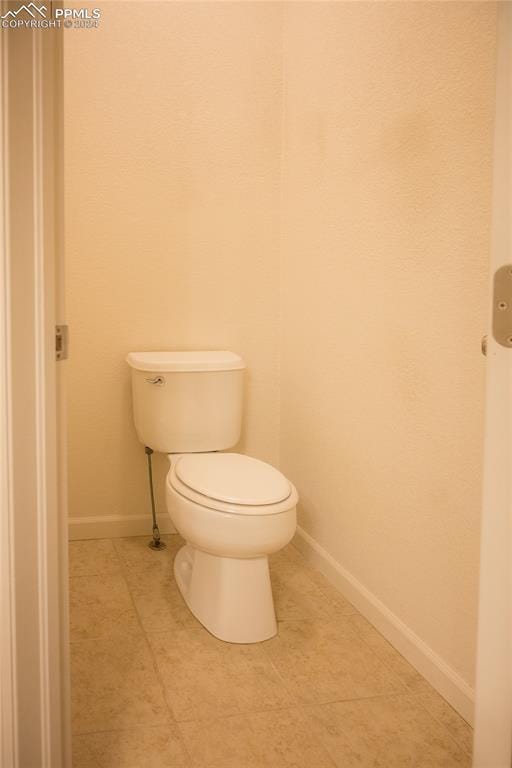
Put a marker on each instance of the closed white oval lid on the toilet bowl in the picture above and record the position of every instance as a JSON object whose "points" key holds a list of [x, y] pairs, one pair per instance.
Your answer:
{"points": [[233, 478]]}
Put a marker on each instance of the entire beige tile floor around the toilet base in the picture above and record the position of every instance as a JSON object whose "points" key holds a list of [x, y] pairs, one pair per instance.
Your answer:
{"points": [[152, 689]]}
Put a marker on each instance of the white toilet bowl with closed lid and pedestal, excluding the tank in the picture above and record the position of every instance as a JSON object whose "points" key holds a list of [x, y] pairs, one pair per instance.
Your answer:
{"points": [[233, 511]]}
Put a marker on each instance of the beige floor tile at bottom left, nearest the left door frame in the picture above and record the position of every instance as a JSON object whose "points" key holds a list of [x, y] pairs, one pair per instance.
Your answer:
{"points": [[148, 747]]}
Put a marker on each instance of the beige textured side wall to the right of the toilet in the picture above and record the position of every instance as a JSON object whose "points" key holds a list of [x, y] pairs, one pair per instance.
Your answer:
{"points": [[387, 144]]}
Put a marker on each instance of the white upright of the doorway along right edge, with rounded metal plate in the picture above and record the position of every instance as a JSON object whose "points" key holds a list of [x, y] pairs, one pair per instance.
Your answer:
{"points": [[493, 699]]}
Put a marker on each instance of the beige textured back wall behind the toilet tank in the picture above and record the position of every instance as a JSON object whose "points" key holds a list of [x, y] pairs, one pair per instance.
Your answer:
{"points": [[172, 153]]}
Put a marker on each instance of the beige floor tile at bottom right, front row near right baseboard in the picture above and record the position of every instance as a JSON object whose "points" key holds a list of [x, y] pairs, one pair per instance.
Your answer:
{"points": [[386, 732]]}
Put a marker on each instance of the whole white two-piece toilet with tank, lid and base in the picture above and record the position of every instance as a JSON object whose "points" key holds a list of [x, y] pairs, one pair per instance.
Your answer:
{"points": [[232, 510]]}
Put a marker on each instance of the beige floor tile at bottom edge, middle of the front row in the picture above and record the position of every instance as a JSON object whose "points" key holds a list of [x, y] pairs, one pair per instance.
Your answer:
{"points": [[279, 739]]}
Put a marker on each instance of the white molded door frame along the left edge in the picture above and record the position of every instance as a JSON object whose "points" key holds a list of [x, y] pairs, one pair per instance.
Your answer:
{"points": [[34, 643]]}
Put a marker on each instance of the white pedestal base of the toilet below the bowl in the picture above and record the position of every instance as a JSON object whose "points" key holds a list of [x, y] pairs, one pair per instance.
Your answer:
{"points": [[231, 597]]}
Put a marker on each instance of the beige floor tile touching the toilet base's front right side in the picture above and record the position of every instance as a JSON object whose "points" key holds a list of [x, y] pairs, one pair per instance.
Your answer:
{"points": [[322, 662]]}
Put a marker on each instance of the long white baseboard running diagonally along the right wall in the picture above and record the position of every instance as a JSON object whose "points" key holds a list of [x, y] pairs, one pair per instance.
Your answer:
{"points": [[438, 673]]}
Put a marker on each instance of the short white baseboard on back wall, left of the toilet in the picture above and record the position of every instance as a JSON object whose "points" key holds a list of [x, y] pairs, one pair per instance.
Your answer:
{"points": [[116, 526]]}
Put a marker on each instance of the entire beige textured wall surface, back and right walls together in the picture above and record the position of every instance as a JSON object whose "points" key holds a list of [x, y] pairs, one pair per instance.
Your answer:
{"points": [[349, 268]]}
